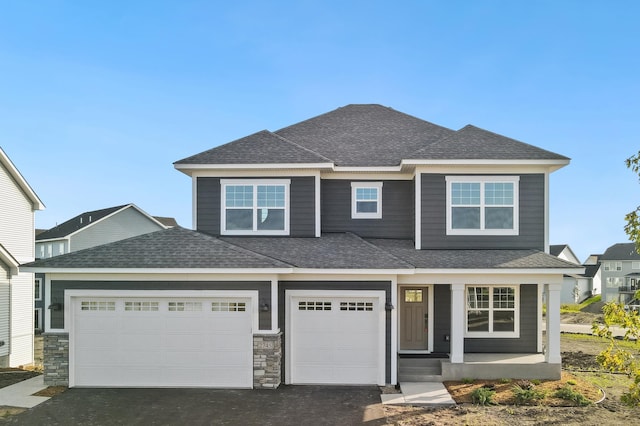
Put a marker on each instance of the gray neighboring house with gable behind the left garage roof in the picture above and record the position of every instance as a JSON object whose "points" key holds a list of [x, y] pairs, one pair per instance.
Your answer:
{"points": [[91, 229]]}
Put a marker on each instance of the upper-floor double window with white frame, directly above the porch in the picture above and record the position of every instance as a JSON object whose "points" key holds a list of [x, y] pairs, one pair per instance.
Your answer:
{"points": [[482, 205]]}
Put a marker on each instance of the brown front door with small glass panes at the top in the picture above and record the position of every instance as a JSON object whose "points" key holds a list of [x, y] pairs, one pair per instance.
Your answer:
{"points": [[414, 318]]}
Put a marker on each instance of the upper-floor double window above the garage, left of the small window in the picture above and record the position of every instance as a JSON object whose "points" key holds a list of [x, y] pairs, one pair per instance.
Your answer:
{"points": [[255, 206]]}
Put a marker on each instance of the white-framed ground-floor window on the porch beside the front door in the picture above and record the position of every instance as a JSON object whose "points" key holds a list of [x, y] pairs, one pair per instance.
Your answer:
{"points": [[492, 311]]}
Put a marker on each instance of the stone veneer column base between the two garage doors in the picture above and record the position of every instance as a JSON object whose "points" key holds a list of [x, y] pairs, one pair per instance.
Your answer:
{"points": [[267, 360]]}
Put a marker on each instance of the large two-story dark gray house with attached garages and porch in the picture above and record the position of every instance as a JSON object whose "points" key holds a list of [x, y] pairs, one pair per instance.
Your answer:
{"points": [[338, 250]]}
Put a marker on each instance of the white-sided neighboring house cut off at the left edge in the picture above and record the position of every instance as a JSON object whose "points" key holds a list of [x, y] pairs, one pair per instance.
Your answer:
{"points": [[18, 203]]}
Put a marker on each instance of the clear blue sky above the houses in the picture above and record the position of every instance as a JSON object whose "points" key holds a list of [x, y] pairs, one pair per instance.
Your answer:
{"points": [[98, 99]]}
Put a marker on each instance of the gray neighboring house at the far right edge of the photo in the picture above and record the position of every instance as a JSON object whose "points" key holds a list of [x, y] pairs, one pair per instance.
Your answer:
{"points": [[620, 268]]}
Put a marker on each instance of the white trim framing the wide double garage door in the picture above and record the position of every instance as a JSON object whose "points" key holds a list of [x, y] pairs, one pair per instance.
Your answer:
{"points": [[73, 296]]}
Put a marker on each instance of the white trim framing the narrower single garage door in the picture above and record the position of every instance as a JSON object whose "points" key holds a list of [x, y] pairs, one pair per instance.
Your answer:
{"points": [[290, 295]]}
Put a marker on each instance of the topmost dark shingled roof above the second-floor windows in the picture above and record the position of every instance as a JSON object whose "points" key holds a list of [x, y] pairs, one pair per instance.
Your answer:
{"points": [[367, 135]]}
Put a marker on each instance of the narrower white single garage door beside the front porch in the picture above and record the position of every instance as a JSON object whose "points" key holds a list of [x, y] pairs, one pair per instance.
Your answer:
{"points": [[336, 339]]}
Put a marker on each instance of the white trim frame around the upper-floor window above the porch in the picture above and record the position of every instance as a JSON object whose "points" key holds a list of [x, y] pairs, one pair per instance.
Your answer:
{"points": [[483, 180]]}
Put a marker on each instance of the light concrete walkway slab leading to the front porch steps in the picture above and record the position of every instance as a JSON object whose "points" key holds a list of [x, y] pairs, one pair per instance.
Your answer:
{"points": [[426, 394]]}
